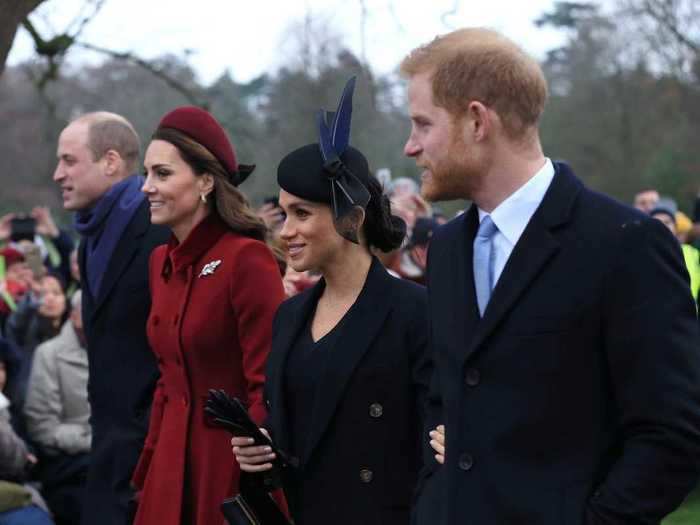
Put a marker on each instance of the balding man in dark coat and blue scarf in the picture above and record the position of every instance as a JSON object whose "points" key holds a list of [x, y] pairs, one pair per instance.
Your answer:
{"points": [[98, 154]]}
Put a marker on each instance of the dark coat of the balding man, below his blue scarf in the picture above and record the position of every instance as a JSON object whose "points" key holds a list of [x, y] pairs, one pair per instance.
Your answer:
{"points": [[122, 368]]}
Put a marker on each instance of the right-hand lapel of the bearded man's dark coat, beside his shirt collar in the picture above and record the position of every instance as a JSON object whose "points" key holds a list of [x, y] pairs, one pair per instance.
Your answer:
{"points": [[537, 245]]}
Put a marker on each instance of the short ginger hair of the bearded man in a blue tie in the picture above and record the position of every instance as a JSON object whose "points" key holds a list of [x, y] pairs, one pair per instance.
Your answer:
{"points": [[481, 64]]}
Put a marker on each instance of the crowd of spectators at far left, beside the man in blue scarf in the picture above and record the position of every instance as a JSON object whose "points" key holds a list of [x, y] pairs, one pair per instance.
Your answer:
{"points": [[44, 431]]}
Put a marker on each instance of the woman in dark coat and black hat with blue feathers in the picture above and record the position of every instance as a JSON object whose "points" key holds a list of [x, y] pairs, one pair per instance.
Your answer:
{"points": [[348, 368]]}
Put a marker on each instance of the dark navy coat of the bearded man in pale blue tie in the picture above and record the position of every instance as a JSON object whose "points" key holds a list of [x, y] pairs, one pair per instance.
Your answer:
{"points": [[576, 399]]}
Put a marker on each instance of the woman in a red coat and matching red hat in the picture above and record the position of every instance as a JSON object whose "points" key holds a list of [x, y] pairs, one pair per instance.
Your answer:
{"points": [[215, 289]]}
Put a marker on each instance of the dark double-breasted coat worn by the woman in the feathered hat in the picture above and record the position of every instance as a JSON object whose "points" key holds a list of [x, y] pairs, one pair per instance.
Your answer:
{"points": [[363, 445]]}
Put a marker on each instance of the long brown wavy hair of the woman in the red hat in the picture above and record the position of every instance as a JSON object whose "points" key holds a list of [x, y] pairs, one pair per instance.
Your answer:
{"points": [[228, 201]]}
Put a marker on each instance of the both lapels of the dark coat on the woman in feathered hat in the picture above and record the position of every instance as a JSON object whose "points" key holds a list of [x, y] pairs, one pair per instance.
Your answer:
{"points": [[361, 325]]}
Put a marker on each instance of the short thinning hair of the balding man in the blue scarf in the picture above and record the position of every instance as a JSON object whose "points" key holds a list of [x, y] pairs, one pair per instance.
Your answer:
{"points": [[109, 131]]}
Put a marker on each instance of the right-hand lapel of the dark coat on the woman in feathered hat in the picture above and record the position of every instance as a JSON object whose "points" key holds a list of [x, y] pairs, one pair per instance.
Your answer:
{"points": [[364, 321]]}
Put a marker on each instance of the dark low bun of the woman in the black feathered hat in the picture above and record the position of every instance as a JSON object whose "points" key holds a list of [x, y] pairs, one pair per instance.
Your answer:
{"points": [[382, 229]]}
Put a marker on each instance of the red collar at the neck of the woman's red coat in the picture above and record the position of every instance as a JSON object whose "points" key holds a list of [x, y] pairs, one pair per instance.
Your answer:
{"points": [[201, 238]]}
